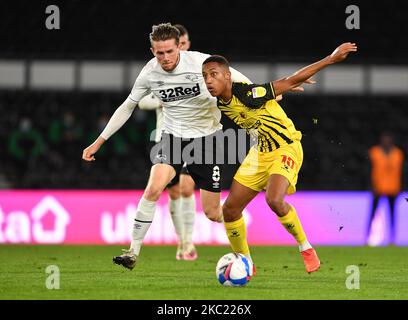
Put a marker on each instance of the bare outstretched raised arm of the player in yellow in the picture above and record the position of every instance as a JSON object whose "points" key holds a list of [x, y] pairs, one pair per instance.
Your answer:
{"points": [[303, 75]]}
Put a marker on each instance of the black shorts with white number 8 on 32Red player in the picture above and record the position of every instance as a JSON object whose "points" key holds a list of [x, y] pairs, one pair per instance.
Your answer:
{"points": [[204, 158]]}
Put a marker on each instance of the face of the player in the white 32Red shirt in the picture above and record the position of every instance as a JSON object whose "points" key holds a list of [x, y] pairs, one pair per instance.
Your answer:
{"points": [[166, 53]]}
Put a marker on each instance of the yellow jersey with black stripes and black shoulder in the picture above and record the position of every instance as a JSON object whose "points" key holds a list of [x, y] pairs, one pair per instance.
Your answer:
{"points": [[253, 108]]}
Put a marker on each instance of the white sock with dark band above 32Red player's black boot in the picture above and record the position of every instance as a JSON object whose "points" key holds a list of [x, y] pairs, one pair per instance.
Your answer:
{"points": [[143, 220]]}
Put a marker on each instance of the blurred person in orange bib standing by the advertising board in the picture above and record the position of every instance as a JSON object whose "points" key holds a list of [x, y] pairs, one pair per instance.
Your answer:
{"points": [[386, 172]]}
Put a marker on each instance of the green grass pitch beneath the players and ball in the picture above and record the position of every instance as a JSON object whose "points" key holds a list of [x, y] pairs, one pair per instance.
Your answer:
{"points": [[86, 272]]}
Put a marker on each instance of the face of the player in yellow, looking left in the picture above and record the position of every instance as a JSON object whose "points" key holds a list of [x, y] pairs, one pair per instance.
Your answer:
{"points": [[216, 78]]}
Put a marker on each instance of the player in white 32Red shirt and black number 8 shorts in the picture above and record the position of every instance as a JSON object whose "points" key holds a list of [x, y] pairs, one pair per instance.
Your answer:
{"points": [[190, 114]]}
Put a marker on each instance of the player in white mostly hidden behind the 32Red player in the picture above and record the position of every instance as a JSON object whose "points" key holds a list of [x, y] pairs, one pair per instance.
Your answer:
{"points": [[181, 188]]}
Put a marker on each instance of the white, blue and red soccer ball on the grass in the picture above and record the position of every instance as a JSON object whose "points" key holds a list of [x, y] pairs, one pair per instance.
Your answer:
{"points": [[233, 269]]}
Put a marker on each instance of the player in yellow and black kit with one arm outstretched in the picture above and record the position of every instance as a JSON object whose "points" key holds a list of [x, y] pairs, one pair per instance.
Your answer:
{"points": [[275, 162]]}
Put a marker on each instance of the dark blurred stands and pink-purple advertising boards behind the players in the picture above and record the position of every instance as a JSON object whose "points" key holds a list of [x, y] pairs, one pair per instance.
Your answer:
{"points": [[59, 87]]}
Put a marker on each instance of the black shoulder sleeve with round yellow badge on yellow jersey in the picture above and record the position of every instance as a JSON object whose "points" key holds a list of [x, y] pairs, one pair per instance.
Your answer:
{"points": [[253, 95]]}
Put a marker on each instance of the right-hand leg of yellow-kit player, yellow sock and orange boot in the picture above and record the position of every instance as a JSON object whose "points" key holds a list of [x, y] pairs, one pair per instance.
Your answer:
{"points": [[276, 190]]}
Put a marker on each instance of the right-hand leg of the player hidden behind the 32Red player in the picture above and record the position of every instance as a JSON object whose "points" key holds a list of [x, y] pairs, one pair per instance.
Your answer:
{"points": [[188, 212]]}
